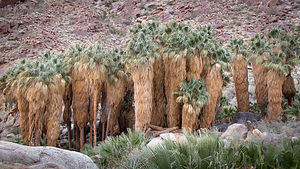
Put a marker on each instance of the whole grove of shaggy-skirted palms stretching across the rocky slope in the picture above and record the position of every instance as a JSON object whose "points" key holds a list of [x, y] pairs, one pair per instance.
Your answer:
{"points": [[167, 75]]}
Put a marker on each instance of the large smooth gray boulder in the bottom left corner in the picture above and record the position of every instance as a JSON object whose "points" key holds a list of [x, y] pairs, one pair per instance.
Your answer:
{"points": [[39, 156]]}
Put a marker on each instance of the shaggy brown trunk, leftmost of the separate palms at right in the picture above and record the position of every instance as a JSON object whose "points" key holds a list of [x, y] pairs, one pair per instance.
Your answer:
{"points": [[240, 76]]}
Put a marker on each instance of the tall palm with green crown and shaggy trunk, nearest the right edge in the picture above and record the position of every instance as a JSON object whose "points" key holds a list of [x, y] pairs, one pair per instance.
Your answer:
{"points": [[278, 64]]}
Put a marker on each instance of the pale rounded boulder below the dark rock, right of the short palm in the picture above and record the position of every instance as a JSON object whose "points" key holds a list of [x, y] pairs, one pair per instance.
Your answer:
{"points": [[235, 133]]}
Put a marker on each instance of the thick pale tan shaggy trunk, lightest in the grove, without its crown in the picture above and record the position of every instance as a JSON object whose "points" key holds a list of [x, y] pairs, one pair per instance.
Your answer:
{"points": [[143, 96]]}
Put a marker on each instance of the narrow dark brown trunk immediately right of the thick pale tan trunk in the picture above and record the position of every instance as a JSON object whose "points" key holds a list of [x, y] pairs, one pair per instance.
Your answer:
{"points": [[159, 100]]}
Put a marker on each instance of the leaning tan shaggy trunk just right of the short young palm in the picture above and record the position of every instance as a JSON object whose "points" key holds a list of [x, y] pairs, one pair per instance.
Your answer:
{"points": [[213, 83]]}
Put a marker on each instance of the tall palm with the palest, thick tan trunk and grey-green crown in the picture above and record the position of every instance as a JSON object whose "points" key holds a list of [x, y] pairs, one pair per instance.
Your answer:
{"points": [[143, 50]]}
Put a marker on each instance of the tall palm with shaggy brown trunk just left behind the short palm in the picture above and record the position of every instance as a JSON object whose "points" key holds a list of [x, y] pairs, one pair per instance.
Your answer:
{"points": [[176, 43]]}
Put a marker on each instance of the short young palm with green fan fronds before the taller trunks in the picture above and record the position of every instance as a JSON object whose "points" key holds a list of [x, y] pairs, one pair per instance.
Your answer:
{"points": [[193, 95]]}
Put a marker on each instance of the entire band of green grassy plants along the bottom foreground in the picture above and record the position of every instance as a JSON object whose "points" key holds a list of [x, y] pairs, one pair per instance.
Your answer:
{"points": [[205, 150]]}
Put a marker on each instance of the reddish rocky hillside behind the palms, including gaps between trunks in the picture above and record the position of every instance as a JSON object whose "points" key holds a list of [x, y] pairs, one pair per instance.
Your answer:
{"points": [[30, 27]]}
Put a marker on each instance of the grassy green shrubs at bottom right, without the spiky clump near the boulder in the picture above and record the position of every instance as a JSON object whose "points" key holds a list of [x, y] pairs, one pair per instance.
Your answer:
{"points": [[209, 151]]}
